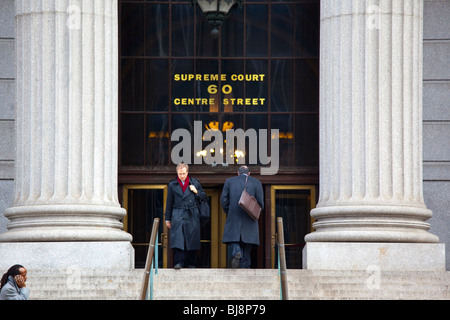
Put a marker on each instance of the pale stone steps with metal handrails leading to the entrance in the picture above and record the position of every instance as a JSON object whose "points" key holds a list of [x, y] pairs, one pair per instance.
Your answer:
{"points": [[237, 284]]}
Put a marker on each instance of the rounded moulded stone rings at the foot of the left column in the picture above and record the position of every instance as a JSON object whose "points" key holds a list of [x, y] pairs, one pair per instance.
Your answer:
{"points": [[65, 223]]}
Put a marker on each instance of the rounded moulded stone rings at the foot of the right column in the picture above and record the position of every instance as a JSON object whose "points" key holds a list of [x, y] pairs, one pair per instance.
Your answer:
{"points": [[371, 223]]}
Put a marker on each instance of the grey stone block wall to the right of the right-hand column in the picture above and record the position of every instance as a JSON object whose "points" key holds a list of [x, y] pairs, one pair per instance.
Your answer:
{"points": [[436, 117]]}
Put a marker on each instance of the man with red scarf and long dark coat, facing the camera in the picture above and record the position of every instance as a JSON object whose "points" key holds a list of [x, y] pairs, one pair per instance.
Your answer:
{"points": [[183, 217]]}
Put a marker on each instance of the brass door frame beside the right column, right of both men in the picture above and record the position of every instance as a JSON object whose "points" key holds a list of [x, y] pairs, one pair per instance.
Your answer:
{"points": [[273, 189]]}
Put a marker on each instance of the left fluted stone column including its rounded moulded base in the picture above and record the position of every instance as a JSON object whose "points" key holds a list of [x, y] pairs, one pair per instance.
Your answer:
{"points": [[66, 123]]}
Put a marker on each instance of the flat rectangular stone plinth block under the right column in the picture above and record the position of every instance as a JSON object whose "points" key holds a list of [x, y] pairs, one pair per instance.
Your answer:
{"points": [[364, 255]]}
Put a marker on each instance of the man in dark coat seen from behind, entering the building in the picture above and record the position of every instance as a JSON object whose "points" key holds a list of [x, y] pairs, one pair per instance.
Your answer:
{"points": [[241, 232]]}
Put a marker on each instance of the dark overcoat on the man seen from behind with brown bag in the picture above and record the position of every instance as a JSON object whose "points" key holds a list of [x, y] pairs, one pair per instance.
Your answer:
{"points": [[239, 226]]}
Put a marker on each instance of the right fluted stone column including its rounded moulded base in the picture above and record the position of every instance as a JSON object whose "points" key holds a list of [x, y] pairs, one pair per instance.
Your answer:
{"points": [[371, 126]]}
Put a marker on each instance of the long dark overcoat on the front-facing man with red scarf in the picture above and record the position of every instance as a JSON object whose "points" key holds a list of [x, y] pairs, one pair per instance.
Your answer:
{"points": [[183, 213]]}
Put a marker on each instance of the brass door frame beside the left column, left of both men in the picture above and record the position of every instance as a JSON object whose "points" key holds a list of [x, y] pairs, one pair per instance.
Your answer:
{"points": [[163, 187]]}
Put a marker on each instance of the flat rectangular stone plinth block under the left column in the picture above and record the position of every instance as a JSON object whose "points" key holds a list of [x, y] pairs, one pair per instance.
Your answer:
{"points": [[60, 255]]}
